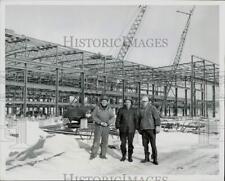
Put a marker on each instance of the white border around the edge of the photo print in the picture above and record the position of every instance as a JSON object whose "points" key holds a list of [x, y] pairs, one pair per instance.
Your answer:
{"points": [[221, 4]]}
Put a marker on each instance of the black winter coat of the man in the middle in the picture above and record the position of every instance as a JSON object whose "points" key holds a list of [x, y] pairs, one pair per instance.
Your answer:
{"points": [[126, 120]]}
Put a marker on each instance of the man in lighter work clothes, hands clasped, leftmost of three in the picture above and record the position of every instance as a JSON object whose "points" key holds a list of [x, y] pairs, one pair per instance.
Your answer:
{"points": [[103, 117]]}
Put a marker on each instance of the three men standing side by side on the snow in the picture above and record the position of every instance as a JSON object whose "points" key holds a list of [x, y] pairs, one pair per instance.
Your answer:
{"points": [[145, 120]]}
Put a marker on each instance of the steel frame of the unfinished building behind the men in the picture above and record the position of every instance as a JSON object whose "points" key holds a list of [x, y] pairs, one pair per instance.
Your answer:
{"points": [[42, 75]]}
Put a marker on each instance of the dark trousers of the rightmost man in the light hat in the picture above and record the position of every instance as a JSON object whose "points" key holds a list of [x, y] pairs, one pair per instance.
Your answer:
{"points": [[149, 135]]}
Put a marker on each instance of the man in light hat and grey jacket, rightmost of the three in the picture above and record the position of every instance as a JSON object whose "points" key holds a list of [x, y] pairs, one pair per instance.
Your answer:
{"points": [[148, 127]]}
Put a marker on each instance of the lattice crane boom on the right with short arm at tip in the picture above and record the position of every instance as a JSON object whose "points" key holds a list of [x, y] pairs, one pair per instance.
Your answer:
{"points": [[178, 55]]}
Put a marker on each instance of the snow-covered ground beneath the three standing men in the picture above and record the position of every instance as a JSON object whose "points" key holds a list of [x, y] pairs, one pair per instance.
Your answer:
{"points": [[54, 155]]}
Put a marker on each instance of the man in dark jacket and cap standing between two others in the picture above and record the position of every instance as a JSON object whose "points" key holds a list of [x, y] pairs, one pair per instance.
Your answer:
{"points": [[126, 123]]}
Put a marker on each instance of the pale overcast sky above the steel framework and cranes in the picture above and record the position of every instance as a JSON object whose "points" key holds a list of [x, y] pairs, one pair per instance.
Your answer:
{"points": [[52, 23]]}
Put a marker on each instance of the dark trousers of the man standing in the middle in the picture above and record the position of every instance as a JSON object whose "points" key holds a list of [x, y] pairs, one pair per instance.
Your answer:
{"points": [[124, 136]]}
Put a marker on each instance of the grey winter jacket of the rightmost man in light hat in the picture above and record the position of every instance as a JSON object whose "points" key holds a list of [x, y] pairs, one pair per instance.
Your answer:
{"points": [[148, 117]]}
